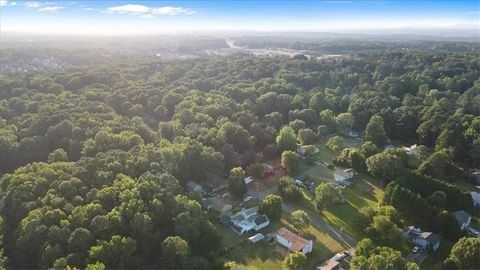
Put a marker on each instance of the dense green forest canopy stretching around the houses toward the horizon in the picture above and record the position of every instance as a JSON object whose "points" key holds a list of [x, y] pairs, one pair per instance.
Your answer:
{"points": [[95, 157]]}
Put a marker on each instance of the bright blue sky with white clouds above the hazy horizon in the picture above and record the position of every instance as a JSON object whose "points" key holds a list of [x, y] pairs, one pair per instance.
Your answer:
{"points": [[152, 17]]}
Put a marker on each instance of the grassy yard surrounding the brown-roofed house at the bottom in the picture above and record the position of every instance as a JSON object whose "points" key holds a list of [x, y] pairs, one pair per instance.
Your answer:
{"points": [[263, 256]]}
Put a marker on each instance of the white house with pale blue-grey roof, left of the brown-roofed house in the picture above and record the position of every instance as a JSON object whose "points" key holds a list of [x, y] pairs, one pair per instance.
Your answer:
{"points": [[248, 220]]}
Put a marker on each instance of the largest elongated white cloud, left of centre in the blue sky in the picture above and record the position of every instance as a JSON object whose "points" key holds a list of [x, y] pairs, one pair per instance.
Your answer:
{"points": [[149, 12]]}
